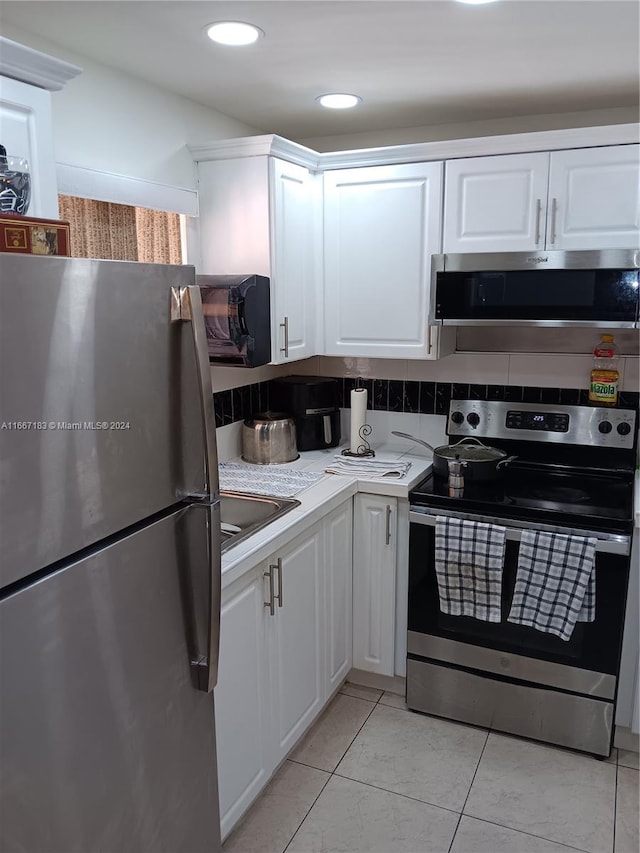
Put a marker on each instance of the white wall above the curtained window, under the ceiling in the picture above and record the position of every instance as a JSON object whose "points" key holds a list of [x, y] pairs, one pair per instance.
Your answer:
{"points": [[109, 121]]}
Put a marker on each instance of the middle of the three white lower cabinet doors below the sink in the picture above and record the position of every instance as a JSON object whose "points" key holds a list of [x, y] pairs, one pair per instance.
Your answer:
{"points": [[296, 639]]}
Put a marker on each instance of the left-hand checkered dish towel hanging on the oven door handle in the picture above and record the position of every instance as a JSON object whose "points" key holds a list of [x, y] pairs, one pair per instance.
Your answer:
{"points": [[469, 563]]}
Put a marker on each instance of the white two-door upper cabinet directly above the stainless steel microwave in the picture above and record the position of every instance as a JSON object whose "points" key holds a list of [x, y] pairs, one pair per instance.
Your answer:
{"points": [[575, 199]]}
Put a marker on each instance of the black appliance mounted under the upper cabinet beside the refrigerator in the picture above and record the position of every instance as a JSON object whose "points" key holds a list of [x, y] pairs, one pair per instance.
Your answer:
{"points": [[237, 318]]}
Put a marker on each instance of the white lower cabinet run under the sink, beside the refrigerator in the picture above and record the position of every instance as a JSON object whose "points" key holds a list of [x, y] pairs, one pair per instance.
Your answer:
{"points": [[278, 669]]}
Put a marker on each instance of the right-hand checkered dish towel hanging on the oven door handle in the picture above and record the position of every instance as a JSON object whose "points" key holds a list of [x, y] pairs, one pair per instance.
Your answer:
{"points": [[555, 582]]}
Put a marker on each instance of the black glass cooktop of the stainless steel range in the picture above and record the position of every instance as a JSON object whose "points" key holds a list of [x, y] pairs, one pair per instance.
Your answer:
{"points": [[601, 502]]}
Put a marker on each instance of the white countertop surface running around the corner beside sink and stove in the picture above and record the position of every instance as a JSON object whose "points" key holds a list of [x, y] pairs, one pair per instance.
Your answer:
{"points": [[317, 500]]}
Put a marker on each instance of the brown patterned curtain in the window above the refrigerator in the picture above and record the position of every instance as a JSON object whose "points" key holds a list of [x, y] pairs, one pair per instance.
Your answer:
{"points": [[100, 229]]}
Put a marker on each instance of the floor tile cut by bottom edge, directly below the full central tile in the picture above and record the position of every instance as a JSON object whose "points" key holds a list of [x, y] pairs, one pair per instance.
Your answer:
{"points": [[349, 817]]}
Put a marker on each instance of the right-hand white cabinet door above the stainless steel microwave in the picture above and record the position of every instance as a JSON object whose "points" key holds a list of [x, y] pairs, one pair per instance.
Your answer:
{"points": [[594, 198]]}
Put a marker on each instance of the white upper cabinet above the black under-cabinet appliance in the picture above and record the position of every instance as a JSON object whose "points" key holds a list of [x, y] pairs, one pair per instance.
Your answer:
{"points": [[257, 215]]}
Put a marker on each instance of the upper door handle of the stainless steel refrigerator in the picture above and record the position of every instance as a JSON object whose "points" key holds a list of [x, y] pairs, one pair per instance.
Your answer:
{"points": [[186, 306]]}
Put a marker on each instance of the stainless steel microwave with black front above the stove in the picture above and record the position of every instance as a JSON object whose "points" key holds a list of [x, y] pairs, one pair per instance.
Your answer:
{"points": [[590, 288]]}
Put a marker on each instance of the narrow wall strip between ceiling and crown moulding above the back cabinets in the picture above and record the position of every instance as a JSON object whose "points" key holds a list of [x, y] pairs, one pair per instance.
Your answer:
{"points": [[467, 130]]}
